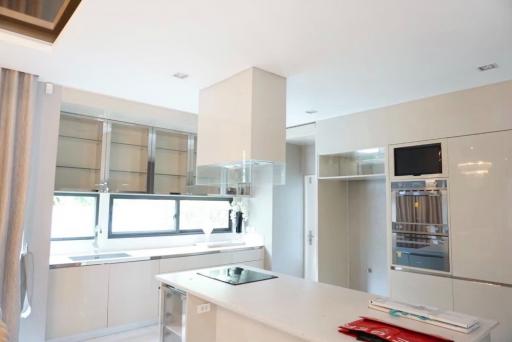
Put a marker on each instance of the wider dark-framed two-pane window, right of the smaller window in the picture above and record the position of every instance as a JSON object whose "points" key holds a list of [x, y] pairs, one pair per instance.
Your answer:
{"points": [[149, 215]]}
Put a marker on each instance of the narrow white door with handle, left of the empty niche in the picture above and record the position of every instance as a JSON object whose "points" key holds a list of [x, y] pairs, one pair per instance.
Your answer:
{"points": [[310, 229]]}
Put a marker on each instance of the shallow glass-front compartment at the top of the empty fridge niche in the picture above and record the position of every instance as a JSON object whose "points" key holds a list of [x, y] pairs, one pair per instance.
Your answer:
{"points": [[367, 163]]}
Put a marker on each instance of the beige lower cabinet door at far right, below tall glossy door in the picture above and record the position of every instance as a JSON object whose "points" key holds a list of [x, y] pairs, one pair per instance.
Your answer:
{"points": [[488, 301]]}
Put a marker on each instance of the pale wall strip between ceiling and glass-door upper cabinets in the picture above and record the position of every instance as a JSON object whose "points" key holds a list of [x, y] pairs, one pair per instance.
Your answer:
{"points": [[86, 103]]}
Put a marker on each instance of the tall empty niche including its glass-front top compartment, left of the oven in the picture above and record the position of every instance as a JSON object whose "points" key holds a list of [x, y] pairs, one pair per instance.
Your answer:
{"points": [[351, 219]]}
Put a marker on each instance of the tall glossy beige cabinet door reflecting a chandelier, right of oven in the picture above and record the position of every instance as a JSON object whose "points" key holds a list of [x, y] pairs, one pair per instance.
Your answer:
{"points": [[480, 191]]}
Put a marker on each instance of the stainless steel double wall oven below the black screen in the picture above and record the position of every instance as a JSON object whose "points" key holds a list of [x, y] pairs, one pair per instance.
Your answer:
{"points": [[420, 224]]}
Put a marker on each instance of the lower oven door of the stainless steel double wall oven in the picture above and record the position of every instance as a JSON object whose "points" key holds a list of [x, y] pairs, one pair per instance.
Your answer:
{"points": [[421, 250]]}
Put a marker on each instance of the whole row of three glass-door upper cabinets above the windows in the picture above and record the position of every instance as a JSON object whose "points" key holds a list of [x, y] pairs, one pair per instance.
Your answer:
{"points": [[104, 155]]}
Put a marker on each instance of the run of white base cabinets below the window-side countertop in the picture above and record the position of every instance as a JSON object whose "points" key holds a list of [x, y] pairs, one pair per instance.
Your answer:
{"points": [[91, 301]]}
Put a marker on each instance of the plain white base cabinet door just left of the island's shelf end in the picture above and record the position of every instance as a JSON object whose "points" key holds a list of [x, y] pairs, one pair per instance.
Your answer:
{"points": [[133, 293]]}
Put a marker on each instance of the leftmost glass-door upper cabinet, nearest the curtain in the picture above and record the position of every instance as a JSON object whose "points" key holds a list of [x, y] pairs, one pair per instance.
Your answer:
{"points": [[79, 154]]}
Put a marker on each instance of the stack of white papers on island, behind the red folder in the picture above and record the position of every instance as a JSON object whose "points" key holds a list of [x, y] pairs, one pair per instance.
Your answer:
{"points": [[443, 318]]}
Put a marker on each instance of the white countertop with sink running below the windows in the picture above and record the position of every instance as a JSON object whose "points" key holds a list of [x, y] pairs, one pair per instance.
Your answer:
{"points": [[57, 261]]}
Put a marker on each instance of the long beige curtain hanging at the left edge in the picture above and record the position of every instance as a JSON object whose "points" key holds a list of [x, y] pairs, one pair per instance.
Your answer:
{"points": [[17, 99]]}
